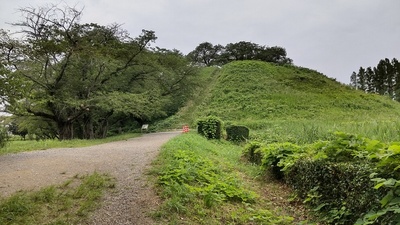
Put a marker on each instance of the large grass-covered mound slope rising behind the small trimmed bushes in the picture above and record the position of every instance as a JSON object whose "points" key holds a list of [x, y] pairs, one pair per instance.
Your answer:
{"points": [[288, 103]]}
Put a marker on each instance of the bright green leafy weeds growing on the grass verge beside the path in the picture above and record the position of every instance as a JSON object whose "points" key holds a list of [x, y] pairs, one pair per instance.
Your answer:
{"points": [[202, 178]]}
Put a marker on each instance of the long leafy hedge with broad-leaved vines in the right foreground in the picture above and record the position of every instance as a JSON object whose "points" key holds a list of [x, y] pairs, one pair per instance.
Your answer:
{"points": [[349, 160]]}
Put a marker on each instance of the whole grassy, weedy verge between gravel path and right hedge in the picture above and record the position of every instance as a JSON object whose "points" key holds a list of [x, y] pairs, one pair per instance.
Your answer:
{"points": [[206, 182]]}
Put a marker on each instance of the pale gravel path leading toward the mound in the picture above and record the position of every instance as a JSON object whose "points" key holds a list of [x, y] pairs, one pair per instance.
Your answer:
{"points": [[124, 160]]}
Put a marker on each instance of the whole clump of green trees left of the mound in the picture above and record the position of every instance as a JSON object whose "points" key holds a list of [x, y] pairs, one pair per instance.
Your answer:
{"points": [[64, 79]]}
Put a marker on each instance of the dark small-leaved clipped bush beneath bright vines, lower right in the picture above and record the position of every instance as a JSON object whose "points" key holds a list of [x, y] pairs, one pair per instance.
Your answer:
{"points": [[341, 191]]}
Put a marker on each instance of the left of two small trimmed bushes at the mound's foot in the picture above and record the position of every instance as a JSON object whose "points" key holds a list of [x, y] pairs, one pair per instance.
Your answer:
{"points": [[210, 127]]}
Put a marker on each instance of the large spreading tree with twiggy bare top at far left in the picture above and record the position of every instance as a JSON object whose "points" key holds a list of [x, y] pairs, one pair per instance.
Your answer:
{"points": [[66, 66]]}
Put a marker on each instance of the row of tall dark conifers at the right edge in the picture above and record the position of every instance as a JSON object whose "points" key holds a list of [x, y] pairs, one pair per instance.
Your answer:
{"points": [[383, 79]]}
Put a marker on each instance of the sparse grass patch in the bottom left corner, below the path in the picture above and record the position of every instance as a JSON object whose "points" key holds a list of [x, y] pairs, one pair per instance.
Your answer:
{"points": [[70, 203]]}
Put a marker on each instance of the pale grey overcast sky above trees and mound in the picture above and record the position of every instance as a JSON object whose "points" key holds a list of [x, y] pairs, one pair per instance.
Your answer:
{"points": [[334, 37]]}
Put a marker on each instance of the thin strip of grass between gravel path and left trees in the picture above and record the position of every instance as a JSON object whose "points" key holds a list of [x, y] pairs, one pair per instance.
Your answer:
{"points": [[16, 146]]}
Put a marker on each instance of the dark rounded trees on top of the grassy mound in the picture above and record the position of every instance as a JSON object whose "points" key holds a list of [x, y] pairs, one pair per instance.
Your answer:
{"points": [[208, 54]]}
